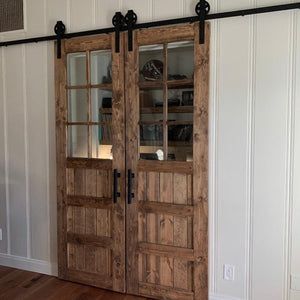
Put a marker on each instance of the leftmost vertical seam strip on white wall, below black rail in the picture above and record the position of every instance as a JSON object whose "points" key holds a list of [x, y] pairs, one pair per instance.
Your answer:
{"points": [[7, 196]]}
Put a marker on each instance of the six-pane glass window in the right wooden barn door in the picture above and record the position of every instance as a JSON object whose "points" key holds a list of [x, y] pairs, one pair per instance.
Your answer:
{"points": [[166, 96]]}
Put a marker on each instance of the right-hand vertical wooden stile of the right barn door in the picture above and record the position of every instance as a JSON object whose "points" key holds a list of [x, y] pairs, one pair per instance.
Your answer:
{"points": [[200, 164]]}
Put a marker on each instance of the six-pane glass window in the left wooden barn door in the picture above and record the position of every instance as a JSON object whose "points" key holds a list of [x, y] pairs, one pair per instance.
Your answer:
{"points": [[89, 105]]}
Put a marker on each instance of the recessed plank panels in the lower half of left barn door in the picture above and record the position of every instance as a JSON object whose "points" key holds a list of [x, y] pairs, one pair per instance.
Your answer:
{"points": [[89, 227]]}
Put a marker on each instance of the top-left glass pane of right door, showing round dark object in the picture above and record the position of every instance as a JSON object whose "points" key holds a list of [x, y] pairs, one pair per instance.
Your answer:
{"points": [[151, 62]]}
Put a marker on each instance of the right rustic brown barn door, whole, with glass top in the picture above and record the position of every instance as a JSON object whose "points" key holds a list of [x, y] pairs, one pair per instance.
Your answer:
{"points": [[167, 161]]}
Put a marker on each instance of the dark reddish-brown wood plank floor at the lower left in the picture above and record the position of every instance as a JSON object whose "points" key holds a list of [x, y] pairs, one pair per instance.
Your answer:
{"points": [[23, 285]]}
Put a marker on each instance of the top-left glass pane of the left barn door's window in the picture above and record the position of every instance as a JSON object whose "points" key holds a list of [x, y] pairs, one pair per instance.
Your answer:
{"points": [[77, 69]]}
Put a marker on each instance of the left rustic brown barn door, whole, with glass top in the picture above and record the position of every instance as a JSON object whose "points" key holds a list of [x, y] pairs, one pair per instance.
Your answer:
{"points": [[90, 114]]}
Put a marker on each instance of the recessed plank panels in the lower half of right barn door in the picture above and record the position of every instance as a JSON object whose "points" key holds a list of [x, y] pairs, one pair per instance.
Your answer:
{"points": [[165, 218]]}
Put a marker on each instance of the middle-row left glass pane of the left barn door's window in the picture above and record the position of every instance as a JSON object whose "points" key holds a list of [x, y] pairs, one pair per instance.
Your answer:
{"points": [[77, 105]]}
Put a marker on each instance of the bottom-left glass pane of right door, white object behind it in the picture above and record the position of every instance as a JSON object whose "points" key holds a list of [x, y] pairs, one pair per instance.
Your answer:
{"points": [[151, 142]]}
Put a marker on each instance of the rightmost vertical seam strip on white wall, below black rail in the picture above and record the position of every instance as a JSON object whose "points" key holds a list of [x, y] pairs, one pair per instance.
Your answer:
{"points": [[290, 153]]}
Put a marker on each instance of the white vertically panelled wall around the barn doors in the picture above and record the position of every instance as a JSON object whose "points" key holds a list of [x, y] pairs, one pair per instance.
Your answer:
{"points": [[254, 141]]}
